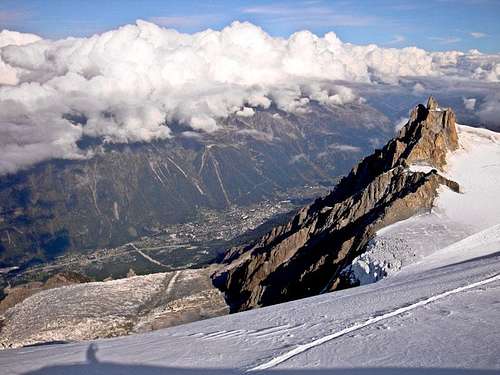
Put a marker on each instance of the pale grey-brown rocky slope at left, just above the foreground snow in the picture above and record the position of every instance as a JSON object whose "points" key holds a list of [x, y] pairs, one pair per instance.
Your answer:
{"points": [[112, 308]]}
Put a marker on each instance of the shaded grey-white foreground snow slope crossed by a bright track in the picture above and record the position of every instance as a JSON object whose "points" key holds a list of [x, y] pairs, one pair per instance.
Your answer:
{"points": [[439, 315]]}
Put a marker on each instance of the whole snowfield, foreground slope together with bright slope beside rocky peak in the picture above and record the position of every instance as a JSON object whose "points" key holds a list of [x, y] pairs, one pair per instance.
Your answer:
{"points": [[440, 314]]}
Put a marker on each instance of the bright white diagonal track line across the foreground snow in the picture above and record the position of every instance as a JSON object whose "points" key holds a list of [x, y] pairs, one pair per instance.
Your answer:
{"points": [[302, 348]]}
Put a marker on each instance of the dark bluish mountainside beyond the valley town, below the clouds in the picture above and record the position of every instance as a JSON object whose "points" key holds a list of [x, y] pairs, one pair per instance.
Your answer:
{"points": [[127, 191]]}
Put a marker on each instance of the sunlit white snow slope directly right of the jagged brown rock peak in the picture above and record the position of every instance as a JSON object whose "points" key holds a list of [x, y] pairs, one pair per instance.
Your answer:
{"points": [[475, 167]]}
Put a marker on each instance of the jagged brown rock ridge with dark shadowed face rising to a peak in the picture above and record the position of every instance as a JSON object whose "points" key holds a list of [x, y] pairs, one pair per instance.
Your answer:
{"points": [[304, 257]]}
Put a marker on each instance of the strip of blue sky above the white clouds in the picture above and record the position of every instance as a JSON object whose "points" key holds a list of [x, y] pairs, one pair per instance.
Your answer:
{"points": [[429, 24]]}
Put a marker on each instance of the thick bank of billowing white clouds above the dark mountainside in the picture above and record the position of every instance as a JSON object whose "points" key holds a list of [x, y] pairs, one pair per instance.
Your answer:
{"points": [[129, 84]]}
